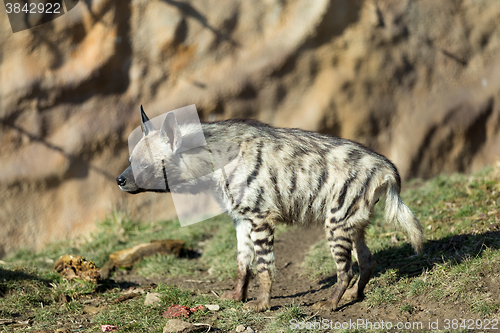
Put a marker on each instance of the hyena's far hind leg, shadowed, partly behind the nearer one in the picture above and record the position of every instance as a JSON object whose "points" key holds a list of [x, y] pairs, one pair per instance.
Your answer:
{"points": [[366, 265]]}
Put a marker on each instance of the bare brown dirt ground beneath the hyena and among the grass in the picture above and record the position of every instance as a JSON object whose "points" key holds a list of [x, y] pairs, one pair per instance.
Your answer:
{"points": [[290, 287]]}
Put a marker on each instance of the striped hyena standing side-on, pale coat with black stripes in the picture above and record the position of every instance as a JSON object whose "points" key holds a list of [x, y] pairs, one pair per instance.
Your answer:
{"points": [[292, 176]]}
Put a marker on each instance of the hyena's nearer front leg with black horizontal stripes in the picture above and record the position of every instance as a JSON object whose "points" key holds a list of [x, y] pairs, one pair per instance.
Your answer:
{"points": [[263, 239]]}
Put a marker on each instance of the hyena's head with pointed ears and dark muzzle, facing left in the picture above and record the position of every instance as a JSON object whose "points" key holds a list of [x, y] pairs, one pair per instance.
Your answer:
{"points": [[152, 156]]}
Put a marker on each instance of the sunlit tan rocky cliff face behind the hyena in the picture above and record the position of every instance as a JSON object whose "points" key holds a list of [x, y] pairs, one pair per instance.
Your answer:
{"points": [[418, 81]]}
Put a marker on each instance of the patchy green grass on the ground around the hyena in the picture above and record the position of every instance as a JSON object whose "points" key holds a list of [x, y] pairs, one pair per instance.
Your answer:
{"points": [[460, 265]]}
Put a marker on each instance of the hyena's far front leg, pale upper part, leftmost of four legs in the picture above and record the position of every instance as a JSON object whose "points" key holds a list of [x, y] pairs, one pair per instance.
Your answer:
{"points": [[244, 260]]}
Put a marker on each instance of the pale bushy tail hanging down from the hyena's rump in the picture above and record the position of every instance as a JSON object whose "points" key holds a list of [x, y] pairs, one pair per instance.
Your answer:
{"points": [[397, 211]]}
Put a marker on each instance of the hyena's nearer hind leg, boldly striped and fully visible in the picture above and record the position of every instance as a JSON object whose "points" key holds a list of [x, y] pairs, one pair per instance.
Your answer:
{"points": [[341, 244]]}
